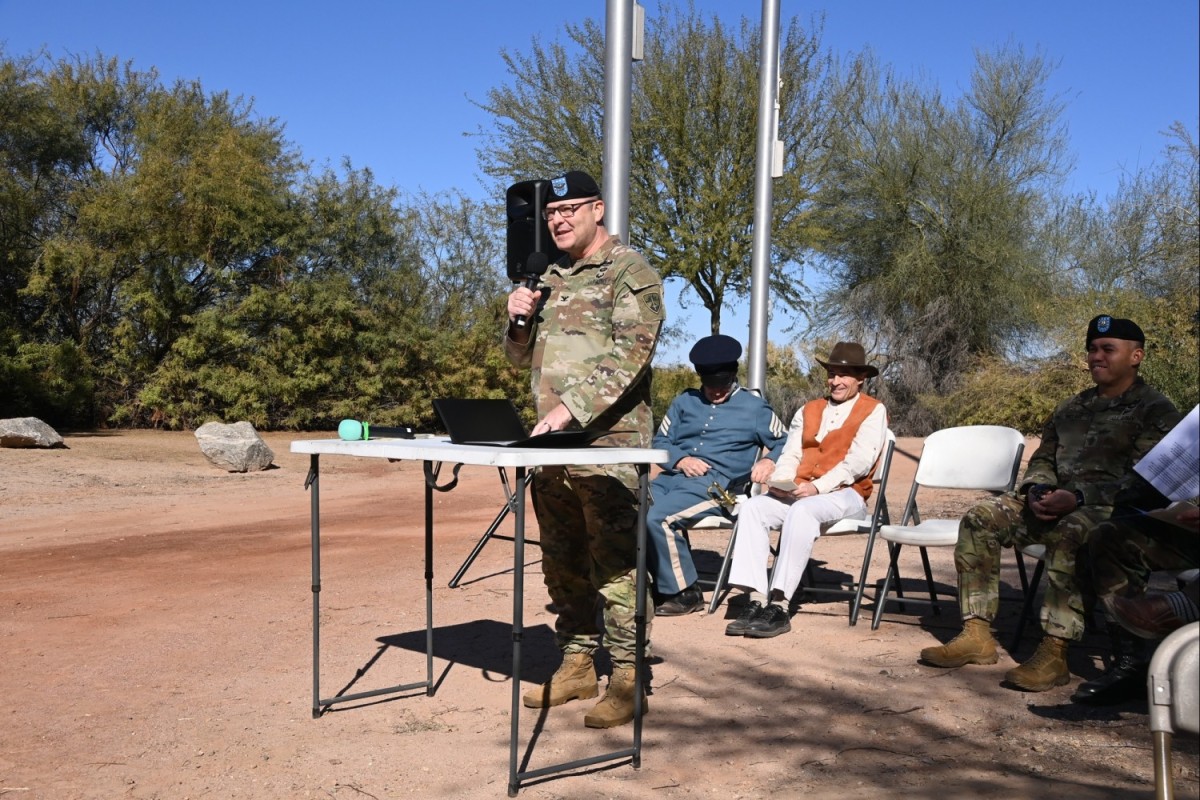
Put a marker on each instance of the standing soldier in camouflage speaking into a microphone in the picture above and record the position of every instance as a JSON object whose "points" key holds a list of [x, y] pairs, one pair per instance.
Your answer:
{"points": [[590, 339]]}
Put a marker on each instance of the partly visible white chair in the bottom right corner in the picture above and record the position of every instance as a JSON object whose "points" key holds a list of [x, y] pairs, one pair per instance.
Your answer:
{"points": [[1174, 695]]}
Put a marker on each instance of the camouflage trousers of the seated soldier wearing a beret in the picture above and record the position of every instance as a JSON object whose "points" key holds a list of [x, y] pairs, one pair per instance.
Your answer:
{"points": [[1005, 522]]}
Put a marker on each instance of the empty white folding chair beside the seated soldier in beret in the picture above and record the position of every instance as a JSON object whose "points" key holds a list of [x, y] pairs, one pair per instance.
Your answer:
{"points": [[982, 458]]}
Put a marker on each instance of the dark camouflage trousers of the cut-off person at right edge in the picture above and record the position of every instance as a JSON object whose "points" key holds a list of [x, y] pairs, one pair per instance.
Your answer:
{"points": [[1124, 551]]}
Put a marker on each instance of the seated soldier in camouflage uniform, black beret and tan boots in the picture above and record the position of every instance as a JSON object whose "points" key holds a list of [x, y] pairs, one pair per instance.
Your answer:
{"points": [[1089, 448]]}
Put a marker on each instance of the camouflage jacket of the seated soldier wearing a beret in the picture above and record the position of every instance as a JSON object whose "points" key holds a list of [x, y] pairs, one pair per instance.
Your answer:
{"points": [[1091, 443]]}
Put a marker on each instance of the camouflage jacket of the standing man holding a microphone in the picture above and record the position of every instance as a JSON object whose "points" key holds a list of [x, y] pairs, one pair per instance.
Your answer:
{"points": [[592, 341]]}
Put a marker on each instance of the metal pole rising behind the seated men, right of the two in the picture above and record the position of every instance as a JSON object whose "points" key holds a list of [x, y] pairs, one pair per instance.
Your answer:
{"points": [[764, 199]]}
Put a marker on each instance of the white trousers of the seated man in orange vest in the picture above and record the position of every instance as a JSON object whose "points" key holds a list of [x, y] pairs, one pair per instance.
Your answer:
{"points": [[800, 524]]}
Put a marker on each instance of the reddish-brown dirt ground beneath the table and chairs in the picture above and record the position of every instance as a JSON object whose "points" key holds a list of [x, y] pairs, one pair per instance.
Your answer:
{"points": [[157, 642]]}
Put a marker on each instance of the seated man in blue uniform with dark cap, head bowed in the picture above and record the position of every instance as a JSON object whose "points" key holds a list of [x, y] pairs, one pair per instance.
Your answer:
{"points": [[715, 435]]}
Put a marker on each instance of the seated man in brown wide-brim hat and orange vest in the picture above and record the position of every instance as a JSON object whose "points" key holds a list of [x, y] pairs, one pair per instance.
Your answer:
{"points": [[825, 474]]}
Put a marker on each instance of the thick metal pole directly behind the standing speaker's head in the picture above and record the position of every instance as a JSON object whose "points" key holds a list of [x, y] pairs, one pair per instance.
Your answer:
{"points": [[619, 76]]}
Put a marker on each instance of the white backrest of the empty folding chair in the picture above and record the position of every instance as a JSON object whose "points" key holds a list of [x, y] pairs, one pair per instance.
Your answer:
{"points": [[985, 458]]}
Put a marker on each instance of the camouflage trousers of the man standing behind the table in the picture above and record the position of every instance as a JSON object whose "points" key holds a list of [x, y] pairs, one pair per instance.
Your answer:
{"points": [[589, 533]]}
